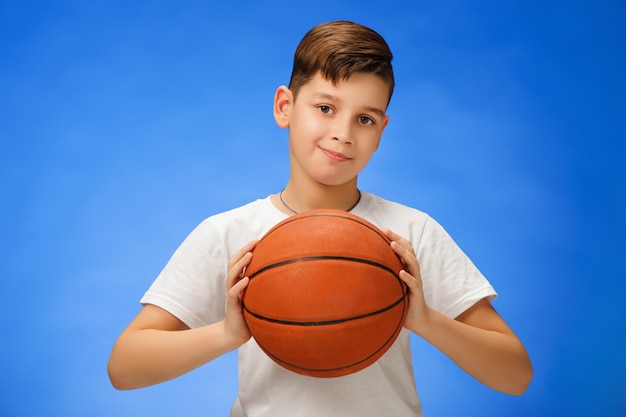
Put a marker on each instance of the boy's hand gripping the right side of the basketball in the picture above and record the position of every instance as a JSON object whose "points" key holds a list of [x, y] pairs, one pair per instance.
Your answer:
{"points": [[418, 310]]}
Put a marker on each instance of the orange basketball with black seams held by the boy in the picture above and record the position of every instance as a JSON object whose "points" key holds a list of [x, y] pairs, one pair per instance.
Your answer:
{"points": [[324, 297]]}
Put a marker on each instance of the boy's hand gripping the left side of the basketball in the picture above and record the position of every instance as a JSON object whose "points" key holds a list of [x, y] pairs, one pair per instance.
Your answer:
{"points": [[234, 323]]}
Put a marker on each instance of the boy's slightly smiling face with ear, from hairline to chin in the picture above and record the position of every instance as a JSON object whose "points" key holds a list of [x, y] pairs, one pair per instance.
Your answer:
{"points": [[333, 129]]}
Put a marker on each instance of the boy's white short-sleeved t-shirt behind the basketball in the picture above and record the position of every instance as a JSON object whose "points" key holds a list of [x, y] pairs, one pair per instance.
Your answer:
{"points": [[192, 288]]}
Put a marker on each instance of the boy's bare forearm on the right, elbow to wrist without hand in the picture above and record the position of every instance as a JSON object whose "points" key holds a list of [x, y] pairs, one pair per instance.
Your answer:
{"points": [[496, 359]]}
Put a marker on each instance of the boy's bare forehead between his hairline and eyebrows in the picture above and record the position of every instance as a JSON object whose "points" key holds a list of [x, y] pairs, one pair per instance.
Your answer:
{"points": [[360, 89]]}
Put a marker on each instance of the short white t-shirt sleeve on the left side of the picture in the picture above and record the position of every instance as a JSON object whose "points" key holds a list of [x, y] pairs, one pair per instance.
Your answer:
{"points": [[192, 284]]}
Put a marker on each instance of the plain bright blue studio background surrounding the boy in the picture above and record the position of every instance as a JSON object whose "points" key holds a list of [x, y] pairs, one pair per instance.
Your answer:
{"points": [[124, 124]]}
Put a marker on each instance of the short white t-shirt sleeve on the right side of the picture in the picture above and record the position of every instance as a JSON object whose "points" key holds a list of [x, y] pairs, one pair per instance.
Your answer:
{"points": [[451, 281]]}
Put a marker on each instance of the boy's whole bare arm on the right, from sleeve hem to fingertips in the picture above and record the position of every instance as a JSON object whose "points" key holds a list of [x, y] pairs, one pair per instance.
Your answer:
{"points": [[478, 341]]}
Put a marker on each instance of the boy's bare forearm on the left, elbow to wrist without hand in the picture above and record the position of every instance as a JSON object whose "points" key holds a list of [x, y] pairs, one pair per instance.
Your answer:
{"points": [[146, 357]]}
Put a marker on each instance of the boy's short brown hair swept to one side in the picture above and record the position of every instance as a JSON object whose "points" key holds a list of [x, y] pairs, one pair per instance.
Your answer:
{"points": [[339, 49]]}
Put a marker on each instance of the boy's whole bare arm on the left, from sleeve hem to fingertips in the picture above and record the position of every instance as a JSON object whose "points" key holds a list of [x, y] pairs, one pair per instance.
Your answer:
{"points": [[156, 346]]}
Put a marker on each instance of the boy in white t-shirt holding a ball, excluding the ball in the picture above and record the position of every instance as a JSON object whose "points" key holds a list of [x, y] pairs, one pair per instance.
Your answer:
{"points": [[335, 109]]}
